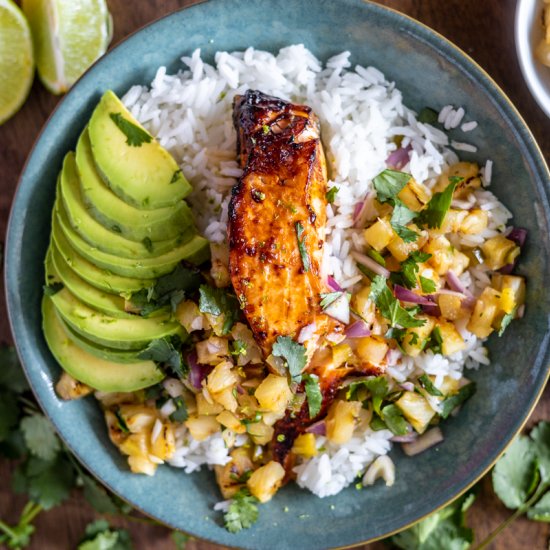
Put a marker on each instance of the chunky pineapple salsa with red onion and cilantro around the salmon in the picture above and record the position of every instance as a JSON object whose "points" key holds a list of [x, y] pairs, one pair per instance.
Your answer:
{"points": [[411, 300]]}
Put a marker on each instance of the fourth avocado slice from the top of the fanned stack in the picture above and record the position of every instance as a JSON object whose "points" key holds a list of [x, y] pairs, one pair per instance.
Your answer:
{"points": [[194, 251]]}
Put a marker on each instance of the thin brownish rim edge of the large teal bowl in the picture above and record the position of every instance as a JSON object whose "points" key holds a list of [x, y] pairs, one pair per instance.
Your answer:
{"points": [[459, 53]]}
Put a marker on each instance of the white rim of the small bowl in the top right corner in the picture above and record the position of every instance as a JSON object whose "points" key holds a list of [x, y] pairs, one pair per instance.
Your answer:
{"points": [[524, 53]]}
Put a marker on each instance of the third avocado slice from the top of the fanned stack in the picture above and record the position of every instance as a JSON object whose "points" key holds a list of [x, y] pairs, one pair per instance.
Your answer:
{"points": [[95, 233]]}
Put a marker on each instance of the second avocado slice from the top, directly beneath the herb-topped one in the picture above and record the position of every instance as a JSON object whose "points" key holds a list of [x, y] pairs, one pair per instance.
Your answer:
{"points": [[118, 216]]}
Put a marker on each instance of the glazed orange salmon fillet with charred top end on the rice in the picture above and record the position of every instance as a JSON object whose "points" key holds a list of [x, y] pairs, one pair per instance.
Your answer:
{"points": [[277, 219]]}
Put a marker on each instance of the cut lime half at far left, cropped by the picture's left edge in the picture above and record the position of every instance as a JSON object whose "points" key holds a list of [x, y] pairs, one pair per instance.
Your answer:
{"points": [[16, 59]]}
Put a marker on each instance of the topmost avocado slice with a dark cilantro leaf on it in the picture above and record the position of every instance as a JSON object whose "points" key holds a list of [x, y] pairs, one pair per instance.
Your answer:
{"points": [[132, 163]]}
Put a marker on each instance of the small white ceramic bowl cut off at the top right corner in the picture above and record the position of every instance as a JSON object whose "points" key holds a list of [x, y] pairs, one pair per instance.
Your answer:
{"points": [[528, 32]]}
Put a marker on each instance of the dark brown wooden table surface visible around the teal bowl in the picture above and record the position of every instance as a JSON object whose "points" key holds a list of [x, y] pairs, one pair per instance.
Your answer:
{"points": [[482, 28]]}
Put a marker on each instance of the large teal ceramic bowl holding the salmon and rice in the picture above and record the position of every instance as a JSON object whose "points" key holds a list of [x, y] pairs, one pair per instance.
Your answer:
{"points": [[430, 71]]}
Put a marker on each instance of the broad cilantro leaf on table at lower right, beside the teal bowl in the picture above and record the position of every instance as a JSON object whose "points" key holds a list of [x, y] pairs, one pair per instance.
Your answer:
{"points": [[515, 473]]}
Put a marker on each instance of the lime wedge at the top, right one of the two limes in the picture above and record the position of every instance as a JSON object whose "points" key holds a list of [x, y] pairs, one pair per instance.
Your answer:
{"points": [[68, 35]]}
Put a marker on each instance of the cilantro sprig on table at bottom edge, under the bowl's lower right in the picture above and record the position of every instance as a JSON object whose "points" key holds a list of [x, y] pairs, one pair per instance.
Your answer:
{"points": [[443, 529]]}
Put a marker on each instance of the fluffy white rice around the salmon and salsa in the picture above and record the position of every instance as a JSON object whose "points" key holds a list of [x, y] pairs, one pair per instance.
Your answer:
{"points": [[360, 112]]}
